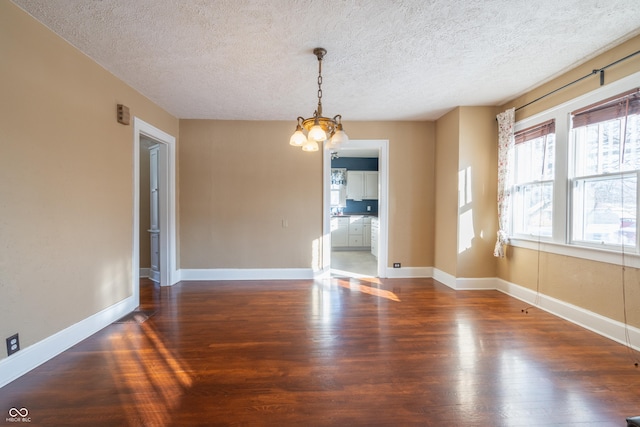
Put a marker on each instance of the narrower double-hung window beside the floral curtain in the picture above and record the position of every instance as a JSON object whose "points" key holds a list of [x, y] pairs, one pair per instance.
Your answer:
{"points": [[534, 157]]}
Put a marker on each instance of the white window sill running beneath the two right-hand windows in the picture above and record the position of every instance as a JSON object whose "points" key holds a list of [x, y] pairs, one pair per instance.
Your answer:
{"points": [[630, 259]]}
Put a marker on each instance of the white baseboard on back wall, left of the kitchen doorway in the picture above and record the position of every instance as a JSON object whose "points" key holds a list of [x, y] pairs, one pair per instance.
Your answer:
{"points": [[247, 274]]}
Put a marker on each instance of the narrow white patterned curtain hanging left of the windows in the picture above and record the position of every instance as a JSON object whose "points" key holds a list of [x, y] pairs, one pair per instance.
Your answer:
{"points": [[506, 121]]}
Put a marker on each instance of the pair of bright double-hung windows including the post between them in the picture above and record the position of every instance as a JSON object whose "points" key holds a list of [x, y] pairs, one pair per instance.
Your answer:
{"points": [[592, 199]]}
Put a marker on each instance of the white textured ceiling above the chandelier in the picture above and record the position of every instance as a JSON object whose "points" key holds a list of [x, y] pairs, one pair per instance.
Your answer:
{"points": [[387, 59]]}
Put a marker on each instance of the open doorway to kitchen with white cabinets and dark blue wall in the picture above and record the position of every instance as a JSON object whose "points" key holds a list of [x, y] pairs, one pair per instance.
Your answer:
{"points": [[355, 209]]}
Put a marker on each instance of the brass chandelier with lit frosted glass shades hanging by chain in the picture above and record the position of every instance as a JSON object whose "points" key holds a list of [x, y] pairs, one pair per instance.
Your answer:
{"points": [[318, 128]]}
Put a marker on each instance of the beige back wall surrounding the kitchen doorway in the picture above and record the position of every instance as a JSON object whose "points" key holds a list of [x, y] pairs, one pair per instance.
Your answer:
{"points": [[240, 179]]}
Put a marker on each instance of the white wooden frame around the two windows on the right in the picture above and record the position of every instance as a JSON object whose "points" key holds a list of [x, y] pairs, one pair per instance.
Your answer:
{"points": [[559, 242]]}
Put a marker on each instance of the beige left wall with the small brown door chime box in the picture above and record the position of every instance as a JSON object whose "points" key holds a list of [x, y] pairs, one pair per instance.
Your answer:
{"points": [[66, 181]]}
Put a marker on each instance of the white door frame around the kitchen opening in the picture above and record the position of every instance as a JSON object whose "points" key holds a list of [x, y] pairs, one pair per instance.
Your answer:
{"points": [[382, 145]]}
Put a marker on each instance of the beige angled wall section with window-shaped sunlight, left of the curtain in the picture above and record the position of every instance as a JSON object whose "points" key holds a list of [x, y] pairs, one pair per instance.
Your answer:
{"points": [[466, 158]]}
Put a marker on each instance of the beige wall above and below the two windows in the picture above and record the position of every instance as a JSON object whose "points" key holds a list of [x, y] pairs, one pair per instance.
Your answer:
{"points": [[595, 286]]}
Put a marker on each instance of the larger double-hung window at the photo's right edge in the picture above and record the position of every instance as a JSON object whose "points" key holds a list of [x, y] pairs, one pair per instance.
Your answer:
{"points": [[605, 141]]}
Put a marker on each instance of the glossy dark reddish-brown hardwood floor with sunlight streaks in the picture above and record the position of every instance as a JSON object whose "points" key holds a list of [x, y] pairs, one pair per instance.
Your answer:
{"points": [[340, 352]]}
